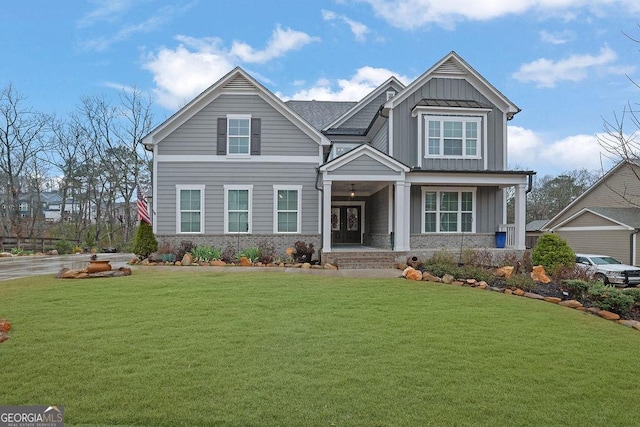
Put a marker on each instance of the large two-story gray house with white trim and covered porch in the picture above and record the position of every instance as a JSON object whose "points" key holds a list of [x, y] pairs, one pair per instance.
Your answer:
{"points": [[406, 169]]}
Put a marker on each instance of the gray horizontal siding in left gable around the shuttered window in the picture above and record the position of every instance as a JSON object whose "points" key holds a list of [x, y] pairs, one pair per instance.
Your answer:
{"points": [[279, 136]]}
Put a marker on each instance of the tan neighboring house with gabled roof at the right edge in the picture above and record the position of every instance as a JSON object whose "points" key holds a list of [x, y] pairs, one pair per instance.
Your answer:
{"points": [[605, 219]]}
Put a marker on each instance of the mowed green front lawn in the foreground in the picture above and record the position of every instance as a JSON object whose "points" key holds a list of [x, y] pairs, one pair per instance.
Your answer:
{"points": [[197, 347]]}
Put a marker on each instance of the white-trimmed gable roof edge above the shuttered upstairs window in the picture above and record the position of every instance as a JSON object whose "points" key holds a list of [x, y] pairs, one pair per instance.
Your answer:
{"points": [[238, 81]]}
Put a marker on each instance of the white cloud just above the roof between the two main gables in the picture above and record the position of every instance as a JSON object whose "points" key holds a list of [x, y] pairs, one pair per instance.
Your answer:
{"points": [[357, 87]]}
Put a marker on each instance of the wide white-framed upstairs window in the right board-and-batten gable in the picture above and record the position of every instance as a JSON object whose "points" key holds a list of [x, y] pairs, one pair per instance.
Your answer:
{"points": [[453, 136]]}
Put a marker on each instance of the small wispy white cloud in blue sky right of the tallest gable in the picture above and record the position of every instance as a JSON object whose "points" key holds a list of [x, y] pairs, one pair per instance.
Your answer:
{"points": [[546, 73]]}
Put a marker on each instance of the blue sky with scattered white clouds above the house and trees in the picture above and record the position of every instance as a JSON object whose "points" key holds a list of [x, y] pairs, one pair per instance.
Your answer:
{"points": [[568, 64]]}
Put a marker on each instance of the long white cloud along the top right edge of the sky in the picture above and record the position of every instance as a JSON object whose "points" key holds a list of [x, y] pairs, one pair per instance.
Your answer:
{"points": [[411, 14]]}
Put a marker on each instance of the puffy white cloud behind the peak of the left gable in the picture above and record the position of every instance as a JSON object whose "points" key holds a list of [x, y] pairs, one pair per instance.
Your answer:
{"points": [[183, 72]]}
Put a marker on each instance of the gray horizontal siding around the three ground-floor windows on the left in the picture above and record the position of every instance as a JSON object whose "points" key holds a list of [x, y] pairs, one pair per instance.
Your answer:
{"points": [[215, 176]]}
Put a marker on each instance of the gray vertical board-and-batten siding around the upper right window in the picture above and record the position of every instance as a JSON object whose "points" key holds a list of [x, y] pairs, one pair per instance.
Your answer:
{"points": [[405, 127]]}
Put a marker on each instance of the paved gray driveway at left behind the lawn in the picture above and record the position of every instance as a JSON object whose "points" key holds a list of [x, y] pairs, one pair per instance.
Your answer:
{"points": [[25, 266]]}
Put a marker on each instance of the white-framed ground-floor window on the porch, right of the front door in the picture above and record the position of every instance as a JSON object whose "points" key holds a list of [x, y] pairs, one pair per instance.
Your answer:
{"points": [[449, 210]]}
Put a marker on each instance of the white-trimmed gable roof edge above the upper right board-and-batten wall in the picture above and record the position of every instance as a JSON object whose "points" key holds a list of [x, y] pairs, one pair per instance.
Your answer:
{"points": [[452, 65]]}
